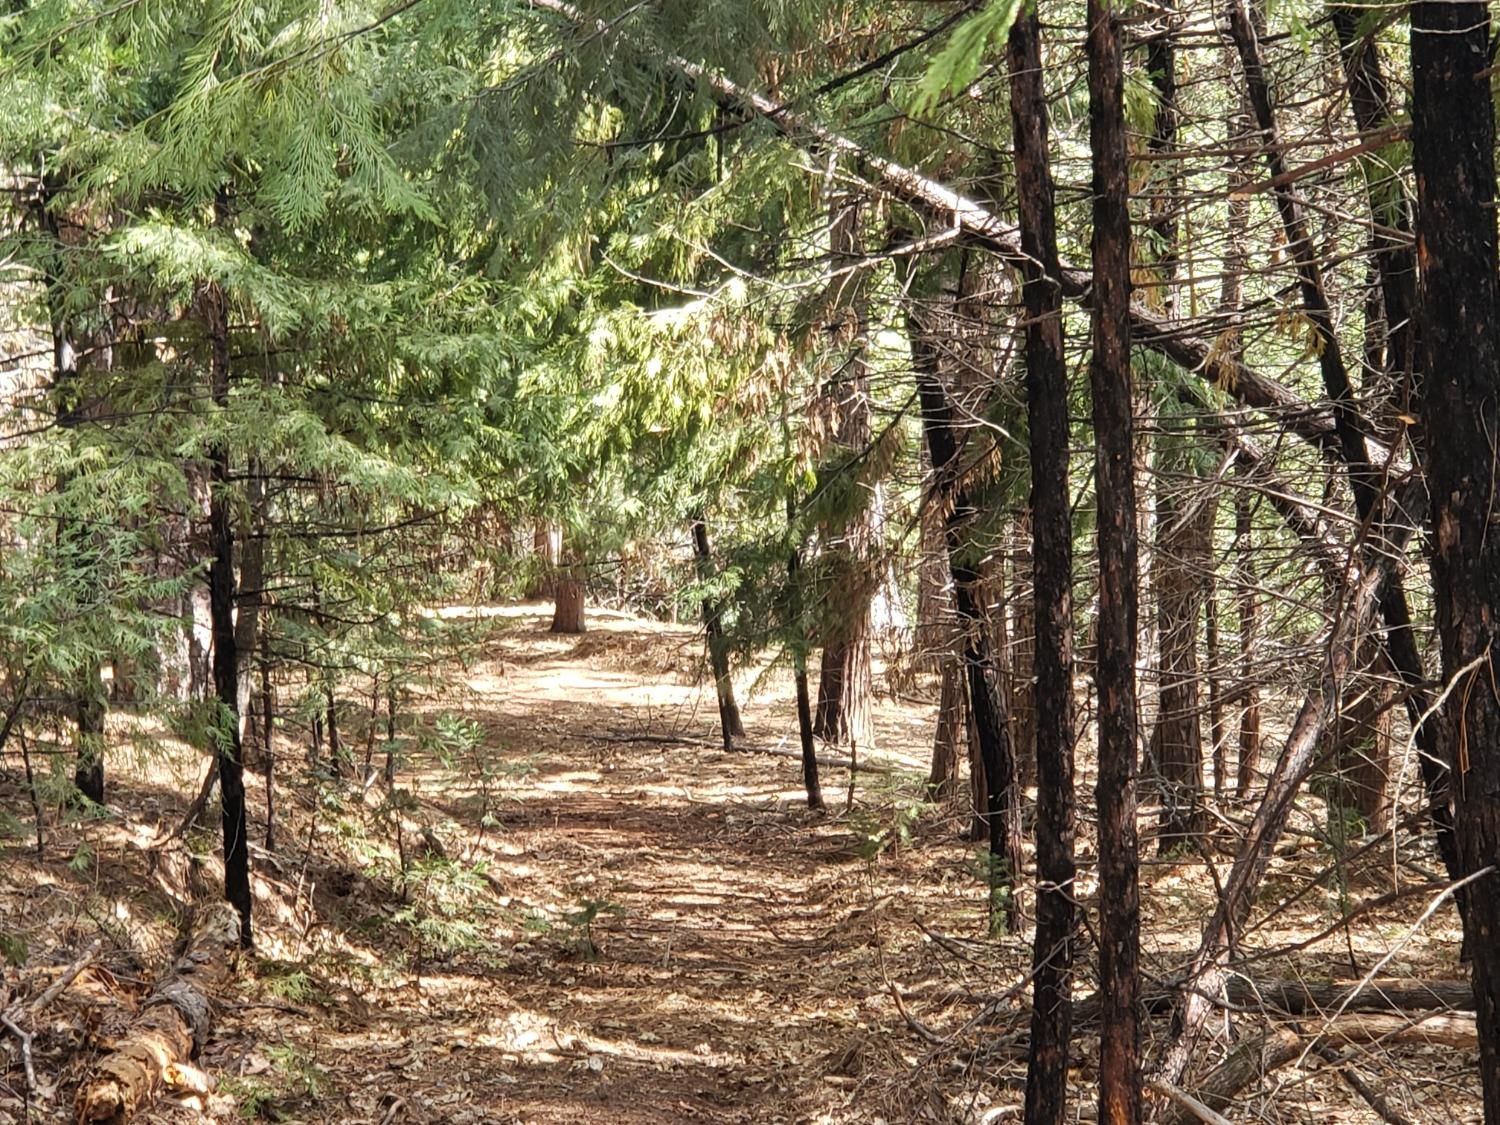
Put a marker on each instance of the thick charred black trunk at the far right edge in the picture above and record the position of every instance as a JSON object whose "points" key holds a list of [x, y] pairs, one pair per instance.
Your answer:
{"points": [[1454, 142]]}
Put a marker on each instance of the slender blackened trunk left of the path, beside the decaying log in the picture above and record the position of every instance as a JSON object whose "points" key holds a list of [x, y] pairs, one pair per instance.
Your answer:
{"points": [[221, 601]]}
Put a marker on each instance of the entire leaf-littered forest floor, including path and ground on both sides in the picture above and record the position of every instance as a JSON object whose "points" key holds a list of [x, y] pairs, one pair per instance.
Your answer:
{"points": [[577, 908]]}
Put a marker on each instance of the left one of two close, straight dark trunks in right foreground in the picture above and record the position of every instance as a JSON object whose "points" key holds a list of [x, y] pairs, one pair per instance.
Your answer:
{"points": [[1052, 586]]}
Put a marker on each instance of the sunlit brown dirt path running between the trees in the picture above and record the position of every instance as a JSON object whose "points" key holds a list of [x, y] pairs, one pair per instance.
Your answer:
{"points": [[674, 938]]}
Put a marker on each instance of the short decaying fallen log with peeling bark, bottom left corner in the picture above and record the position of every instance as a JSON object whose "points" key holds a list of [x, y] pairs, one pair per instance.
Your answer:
{"points": [[170, 1031]]}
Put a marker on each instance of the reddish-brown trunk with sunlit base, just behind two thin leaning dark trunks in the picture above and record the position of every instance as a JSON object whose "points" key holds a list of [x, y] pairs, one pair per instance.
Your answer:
{"points": [[844, 682]]}
